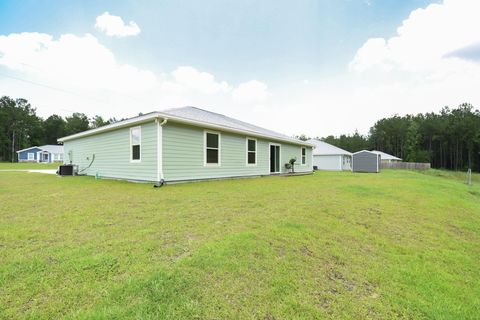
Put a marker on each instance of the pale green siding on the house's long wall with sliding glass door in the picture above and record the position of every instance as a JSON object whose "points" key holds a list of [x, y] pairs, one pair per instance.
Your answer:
{"points": [[183, 155]]}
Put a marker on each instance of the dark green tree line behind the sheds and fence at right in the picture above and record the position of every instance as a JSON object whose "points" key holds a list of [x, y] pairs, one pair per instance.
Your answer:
{"points": [[449, 139]]}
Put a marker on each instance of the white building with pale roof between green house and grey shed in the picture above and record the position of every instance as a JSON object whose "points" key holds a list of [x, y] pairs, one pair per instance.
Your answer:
{"points": [[329, 157]]}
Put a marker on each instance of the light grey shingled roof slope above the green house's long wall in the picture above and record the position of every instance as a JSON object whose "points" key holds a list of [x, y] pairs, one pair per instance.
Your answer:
{"points": [[197, 114]]}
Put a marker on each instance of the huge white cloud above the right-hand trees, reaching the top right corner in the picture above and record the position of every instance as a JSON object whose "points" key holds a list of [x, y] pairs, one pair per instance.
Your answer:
{"points": [[428, 64]]}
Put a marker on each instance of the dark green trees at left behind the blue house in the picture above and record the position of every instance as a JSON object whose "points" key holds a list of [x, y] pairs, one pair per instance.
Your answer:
{"points": [[20, 127]]}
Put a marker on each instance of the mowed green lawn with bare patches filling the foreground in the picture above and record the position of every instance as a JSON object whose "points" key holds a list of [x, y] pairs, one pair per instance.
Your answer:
{"points": [[398, 244]]}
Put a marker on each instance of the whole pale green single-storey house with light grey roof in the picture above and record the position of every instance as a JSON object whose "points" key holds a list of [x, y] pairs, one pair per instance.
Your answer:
{"points": [[183, 144]]}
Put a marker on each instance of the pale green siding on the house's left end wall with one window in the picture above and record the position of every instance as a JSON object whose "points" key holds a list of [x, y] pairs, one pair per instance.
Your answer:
{"points": [[112, 154]]}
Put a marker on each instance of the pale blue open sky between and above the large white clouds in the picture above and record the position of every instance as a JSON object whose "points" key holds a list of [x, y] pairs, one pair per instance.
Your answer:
{"points": [[234, 40]]}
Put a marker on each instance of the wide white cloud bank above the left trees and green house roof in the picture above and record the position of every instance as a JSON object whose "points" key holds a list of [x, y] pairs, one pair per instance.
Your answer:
{"points": [[90, 79]]}
